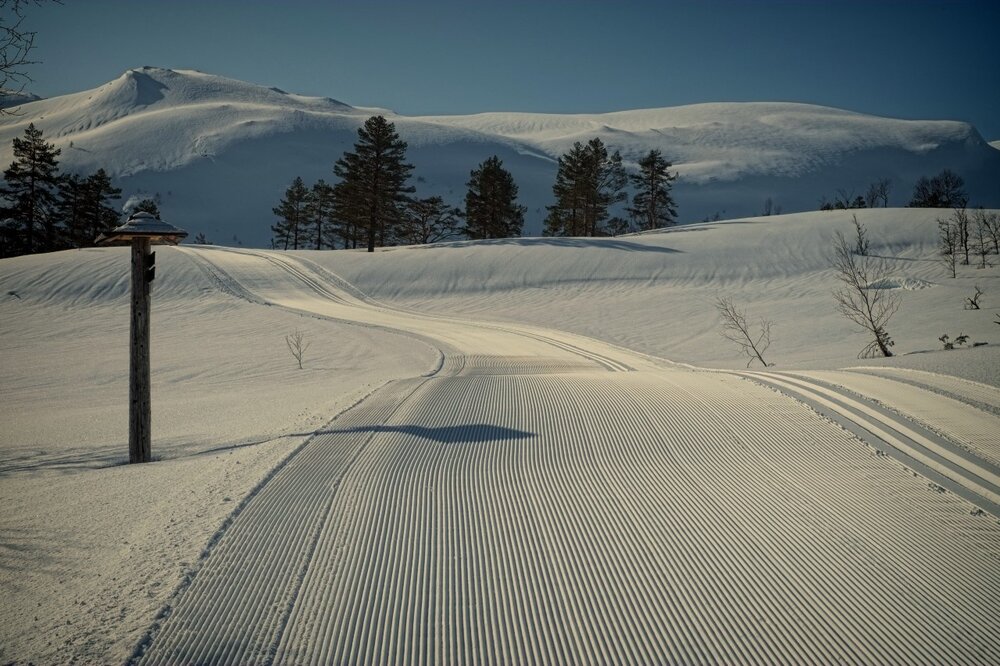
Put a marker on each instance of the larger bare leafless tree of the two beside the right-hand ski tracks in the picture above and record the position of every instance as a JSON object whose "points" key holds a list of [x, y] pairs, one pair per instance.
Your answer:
{"points": [[865, 300]]}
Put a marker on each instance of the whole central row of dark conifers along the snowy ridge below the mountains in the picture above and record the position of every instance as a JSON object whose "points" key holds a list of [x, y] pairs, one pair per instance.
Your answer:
{"points": [[372, 205]]}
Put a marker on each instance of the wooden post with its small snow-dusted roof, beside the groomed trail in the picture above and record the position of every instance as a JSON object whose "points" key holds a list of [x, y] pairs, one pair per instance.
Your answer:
{"points": [[141, 231]]}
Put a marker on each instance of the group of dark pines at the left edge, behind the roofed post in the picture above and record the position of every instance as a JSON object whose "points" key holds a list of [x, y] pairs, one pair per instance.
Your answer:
{"points": [[43, 210]]}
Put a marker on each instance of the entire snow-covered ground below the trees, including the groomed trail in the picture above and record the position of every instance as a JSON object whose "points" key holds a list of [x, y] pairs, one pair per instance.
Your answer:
{"points": [[521, 451]]}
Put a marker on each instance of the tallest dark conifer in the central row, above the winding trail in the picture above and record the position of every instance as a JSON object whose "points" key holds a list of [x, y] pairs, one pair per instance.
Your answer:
{"points": [[375, 174]]}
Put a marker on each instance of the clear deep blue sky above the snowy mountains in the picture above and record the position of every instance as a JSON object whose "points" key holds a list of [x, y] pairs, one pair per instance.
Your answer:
{"points": [[906, 59]]}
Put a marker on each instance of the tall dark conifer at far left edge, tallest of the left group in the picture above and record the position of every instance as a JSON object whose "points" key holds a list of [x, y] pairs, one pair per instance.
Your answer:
{"points": [[30, 190]]}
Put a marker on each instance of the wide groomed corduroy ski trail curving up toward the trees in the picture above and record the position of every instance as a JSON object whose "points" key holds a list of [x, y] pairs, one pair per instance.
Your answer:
{"points": [[531, 503]]}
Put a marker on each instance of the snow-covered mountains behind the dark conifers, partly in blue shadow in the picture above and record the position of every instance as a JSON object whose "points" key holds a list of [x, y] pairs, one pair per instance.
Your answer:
{"points": [[220, 152]]}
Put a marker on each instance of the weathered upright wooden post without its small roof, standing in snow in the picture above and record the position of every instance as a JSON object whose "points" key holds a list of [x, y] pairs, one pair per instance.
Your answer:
{"points": [[139, 394]]}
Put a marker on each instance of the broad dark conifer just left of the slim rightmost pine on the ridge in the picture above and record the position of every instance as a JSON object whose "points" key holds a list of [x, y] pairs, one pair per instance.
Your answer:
{"points": [[588, 182]]}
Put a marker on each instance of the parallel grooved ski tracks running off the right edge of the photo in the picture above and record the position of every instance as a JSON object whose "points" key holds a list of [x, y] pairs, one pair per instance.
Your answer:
{"points": [[937, 458]]}
